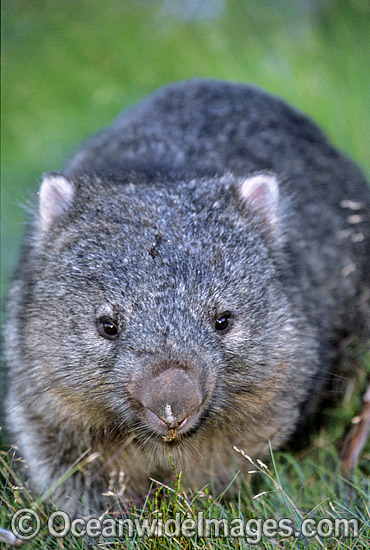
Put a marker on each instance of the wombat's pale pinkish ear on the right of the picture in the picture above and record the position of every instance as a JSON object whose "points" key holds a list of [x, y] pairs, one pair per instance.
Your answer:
{"points": [[260, 192]]}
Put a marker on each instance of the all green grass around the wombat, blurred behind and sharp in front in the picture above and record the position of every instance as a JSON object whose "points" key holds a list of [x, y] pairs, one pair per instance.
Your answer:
{"points": [[68, 68]]}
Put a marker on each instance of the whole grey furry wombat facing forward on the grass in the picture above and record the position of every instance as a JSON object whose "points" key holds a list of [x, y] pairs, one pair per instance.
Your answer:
{"points": [[185, 286]]}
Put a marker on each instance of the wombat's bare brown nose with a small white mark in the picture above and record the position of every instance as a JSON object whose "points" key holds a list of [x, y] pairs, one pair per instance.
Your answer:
{"points": [[172, 400]]}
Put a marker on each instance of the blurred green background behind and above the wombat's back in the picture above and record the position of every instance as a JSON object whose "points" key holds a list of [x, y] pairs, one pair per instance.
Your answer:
{"points": [[70, 66]]}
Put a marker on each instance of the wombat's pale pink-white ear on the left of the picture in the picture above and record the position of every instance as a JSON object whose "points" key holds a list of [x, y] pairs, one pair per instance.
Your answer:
{"points": [[55, 197]]}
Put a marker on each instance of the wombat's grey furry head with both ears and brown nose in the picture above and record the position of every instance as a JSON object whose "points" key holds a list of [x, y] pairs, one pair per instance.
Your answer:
{"points": [[155, 309]]}
